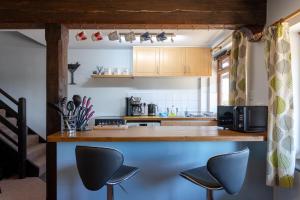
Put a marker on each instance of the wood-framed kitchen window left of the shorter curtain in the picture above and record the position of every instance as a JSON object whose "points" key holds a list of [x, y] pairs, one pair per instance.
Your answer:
{"points": [[223, 78]]}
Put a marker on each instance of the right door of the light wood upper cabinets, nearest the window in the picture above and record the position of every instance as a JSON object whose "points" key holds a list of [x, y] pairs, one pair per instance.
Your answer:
{"points": [[198, 61]]}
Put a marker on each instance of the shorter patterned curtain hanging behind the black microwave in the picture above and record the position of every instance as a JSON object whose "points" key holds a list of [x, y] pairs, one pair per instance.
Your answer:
{"points": [[237, 94]]}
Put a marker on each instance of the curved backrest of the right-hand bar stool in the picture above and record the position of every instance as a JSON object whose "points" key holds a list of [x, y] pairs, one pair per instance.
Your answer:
{"points": [[229, 170]]}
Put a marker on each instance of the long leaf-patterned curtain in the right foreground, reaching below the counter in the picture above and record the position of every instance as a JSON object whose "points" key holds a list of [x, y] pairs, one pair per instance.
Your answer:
{"points": [[281, 149]]}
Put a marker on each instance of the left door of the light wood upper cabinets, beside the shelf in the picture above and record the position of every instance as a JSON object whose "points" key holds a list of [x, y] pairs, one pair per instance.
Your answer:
{"points": [[145, 61]]}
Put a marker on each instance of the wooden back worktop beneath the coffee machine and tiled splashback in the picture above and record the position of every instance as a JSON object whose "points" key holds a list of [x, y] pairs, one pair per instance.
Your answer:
{"points": [[158, 118]]}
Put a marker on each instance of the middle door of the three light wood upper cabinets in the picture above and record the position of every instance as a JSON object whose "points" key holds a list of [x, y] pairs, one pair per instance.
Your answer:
{"points": [[171, 61]]}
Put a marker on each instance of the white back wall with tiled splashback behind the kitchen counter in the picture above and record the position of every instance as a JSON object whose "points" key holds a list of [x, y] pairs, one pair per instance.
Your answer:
{"points": [[109, 94]]}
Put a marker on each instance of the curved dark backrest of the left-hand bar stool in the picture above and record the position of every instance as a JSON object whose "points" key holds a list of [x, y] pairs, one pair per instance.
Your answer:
{"points": [[96, 165]]}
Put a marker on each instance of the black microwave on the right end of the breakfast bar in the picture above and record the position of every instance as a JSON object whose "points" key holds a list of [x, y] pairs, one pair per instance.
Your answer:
{"points": [[243, 118]]}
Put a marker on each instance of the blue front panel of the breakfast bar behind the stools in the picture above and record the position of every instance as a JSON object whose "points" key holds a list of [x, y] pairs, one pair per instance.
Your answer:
{"points": [[160, 164]]}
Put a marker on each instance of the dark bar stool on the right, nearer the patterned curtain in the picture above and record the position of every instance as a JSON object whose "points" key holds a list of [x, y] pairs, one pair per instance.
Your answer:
{"points": [[225, 171]]}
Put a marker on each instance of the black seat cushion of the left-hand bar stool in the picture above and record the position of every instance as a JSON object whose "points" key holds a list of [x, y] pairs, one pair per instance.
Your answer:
{"points": [[123, 173]]}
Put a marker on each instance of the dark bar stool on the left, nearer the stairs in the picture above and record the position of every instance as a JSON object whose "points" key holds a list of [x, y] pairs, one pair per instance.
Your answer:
{"points": [[99, 166]]}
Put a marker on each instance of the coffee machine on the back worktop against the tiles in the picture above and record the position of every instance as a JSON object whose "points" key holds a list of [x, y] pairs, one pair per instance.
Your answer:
{"points": [[134, 106]]}
